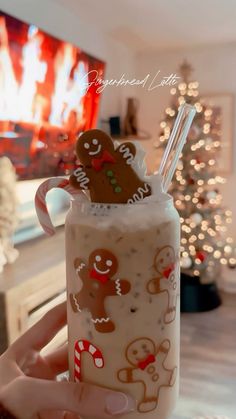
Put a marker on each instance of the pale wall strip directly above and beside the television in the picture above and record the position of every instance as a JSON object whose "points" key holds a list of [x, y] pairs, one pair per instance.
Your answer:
{"points": [[60, 22]]}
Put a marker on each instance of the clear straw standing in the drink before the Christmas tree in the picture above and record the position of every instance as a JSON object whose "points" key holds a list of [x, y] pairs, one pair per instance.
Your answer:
{"points": [[175, 144]]}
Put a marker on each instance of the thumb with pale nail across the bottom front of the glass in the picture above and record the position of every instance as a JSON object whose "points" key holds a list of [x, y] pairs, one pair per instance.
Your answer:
{"points": [[25, 397]]}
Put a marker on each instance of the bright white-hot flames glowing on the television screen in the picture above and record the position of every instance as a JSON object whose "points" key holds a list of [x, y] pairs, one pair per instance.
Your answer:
{"points": [[19, 100]]}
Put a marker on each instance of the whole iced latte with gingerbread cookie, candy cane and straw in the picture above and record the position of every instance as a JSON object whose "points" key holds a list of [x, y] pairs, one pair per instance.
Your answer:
{"points": [[122, 262]]}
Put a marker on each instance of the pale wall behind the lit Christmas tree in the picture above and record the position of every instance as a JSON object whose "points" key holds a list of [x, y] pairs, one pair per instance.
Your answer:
{"points": [[215, 69]]}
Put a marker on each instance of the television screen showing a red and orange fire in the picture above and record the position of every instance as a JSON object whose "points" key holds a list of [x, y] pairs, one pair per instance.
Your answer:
{"points": [[46, 98]]}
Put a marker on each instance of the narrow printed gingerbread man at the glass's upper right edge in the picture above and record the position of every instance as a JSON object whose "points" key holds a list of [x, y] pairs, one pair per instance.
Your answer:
{"points": [[165, 266]]}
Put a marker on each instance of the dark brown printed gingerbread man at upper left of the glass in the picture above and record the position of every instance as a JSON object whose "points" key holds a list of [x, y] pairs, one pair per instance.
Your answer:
{"points": [[97, 286]]}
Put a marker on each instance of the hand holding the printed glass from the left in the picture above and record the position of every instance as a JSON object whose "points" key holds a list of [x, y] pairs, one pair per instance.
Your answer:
{"points": [[28, 386]]}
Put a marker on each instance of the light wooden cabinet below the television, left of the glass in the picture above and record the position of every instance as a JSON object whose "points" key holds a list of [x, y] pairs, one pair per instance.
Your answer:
{"points": [[31, 286]]}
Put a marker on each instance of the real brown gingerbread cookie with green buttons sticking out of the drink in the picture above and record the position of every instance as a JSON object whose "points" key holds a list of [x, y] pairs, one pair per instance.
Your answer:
{"points": [[107, 171]]}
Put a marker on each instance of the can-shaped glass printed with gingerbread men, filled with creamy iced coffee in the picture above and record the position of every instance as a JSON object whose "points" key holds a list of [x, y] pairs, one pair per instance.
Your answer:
{"points": [[122, 265]]}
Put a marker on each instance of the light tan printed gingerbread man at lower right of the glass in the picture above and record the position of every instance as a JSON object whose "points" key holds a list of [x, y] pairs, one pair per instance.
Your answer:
{"points": [[148, 368]]}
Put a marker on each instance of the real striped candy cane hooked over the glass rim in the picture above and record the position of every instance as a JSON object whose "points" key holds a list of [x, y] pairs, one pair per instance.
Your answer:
{"points": [[40, 200]]}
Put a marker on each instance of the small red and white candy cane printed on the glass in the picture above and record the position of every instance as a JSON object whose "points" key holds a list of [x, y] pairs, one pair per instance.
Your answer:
{"points": [[83, 345]]}
